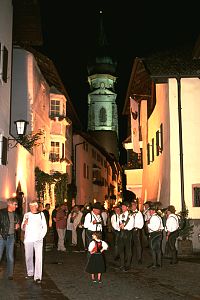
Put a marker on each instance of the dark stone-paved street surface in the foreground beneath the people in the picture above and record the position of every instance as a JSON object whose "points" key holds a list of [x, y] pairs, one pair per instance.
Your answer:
{"points": [[64, 278]]}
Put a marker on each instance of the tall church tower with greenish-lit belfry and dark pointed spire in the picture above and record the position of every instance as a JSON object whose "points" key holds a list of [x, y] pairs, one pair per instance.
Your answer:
{"points": [[102, 108]]}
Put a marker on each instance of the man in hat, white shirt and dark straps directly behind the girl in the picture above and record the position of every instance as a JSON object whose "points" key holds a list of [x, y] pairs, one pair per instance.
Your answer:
{"points": [[93, 221]]}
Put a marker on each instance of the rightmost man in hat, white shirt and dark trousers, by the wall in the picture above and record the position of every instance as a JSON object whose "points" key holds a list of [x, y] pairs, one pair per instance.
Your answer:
{"points": [[171, 228]]}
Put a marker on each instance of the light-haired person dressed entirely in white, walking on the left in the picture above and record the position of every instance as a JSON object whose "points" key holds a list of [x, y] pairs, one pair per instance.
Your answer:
{"points": [[35, 227]]}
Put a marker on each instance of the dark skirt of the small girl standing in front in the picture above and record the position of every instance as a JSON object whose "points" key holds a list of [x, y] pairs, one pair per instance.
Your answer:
{"points": [[96, 263]]}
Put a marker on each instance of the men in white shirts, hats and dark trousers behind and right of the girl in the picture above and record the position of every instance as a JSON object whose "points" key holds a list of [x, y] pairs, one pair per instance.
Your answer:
{"points": [[130, 226]]}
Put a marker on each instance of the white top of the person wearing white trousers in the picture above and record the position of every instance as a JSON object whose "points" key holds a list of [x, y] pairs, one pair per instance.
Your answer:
{"points": [[36, 228]]}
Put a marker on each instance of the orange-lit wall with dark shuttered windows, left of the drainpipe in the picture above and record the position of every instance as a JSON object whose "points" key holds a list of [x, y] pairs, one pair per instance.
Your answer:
{"points": [[155, 185]]}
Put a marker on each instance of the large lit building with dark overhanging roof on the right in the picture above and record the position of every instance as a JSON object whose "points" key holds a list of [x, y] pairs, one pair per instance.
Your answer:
{"points": [[166, 87]]}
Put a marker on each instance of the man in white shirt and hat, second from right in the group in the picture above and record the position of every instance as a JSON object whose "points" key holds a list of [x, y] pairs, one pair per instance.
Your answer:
{"points": [[155, 228]]}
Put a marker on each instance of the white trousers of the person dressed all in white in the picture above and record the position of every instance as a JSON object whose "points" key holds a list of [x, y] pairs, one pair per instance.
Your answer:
{"points": [[31, 248]]}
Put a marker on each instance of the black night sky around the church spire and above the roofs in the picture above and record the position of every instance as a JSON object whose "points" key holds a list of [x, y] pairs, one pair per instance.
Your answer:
{"points": [[70, 29]]}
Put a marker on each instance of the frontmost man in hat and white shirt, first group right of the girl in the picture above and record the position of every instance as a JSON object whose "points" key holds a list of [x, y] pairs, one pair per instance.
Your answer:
{"points": [[125, 237]]}
